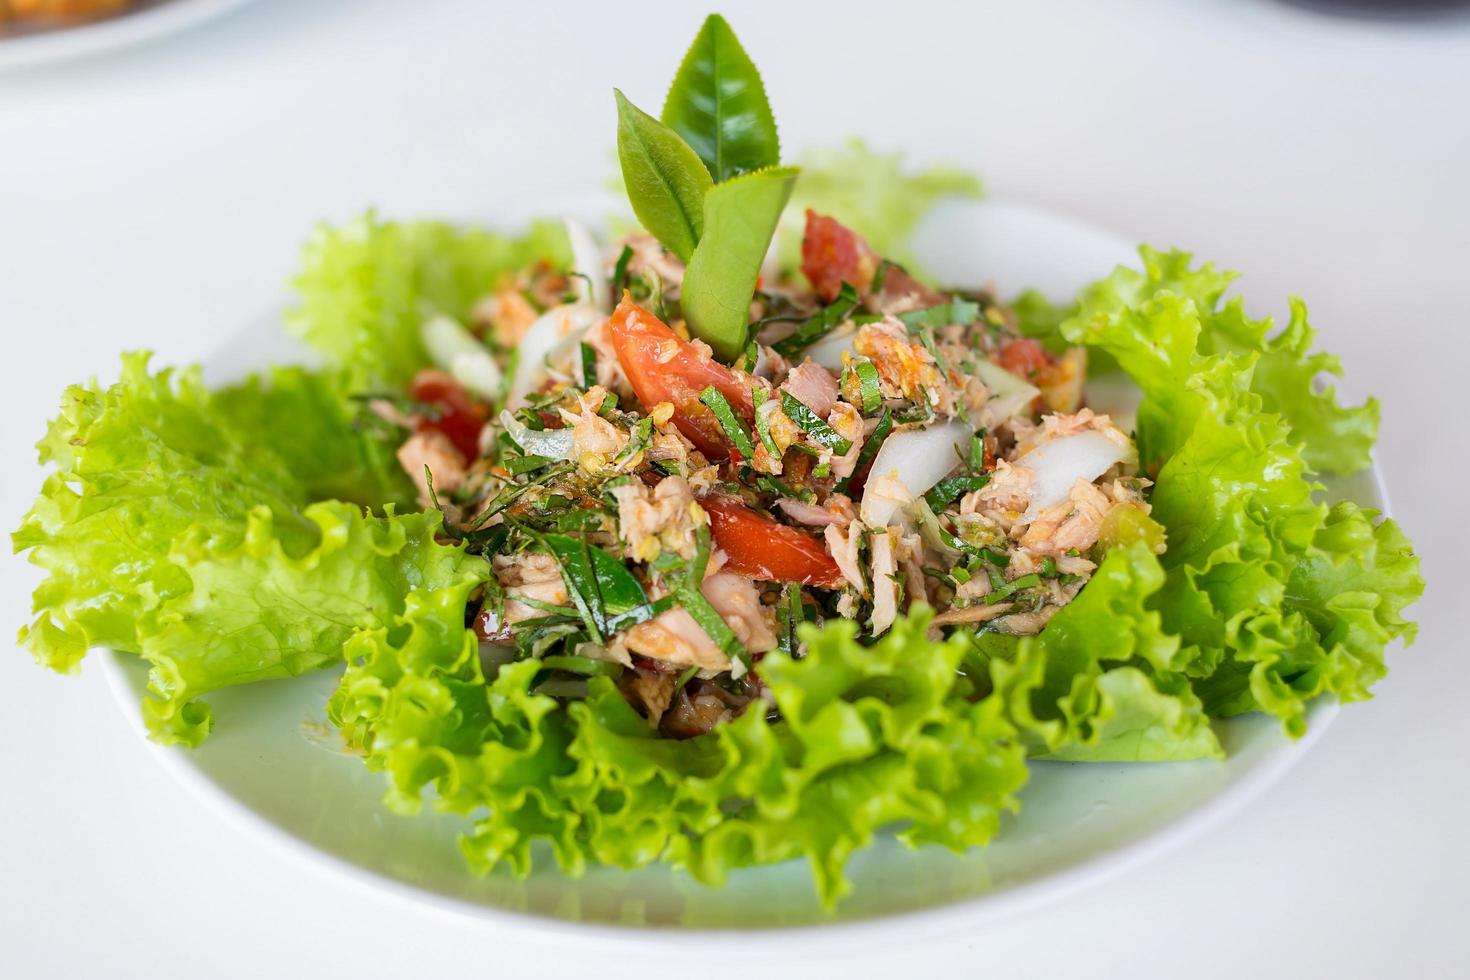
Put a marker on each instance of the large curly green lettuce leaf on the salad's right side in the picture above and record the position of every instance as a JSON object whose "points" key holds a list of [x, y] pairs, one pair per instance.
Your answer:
{"points": [[1255, 563]]}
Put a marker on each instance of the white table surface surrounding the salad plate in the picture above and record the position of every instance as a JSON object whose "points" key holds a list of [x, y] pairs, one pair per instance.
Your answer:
{"points": [[157, 199]]}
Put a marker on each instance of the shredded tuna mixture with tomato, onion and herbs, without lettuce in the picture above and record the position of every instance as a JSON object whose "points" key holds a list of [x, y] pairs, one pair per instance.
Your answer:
{"points": [[880, 446]]}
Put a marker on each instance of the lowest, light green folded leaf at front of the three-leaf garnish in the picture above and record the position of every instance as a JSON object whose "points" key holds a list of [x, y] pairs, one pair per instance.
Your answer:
{"points": [[740, 218]]}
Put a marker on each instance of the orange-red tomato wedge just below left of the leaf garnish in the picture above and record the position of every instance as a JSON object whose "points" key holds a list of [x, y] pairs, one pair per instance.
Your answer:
{"points": [[661, 367]]}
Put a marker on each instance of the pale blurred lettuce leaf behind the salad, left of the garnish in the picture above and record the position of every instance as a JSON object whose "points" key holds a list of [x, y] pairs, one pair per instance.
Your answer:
{"points": [[367, 286]]}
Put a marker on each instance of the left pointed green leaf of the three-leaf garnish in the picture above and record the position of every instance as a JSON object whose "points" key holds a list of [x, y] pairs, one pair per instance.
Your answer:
{"points": [[667, 180]]}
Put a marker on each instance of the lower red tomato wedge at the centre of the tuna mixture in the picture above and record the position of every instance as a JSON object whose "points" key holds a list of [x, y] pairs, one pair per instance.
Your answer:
{"points": [[767, 550]]}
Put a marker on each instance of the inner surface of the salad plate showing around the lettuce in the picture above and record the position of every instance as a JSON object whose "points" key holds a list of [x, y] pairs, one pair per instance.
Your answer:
{"points": [[273, 763]]}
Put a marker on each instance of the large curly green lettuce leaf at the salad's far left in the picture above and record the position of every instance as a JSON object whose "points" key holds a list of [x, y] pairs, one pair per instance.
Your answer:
{"points": [[173, 528]]}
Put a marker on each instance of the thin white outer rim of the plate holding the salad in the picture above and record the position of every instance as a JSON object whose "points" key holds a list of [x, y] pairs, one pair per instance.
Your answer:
{"points": [[977, 912]]}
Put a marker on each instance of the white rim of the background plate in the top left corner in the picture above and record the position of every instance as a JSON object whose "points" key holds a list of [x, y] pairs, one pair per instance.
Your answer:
{"points": [[148, 23]]}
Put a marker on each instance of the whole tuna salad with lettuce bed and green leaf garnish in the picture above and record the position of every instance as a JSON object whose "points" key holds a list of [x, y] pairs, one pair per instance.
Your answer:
{"points": [[731, 538]]}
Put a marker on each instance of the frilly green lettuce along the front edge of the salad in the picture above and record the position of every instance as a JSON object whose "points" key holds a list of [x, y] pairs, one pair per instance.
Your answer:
{"points": [[871, 737]]}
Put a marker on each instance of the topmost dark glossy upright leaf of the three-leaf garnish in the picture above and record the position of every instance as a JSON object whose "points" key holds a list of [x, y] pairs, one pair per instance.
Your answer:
{"points": [[718, 104]]}
